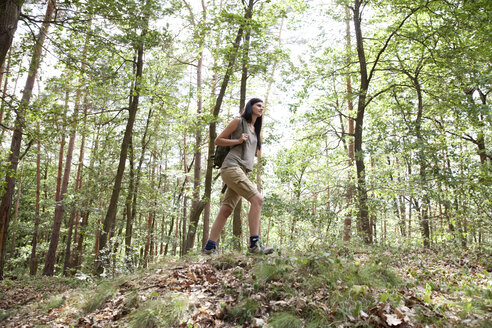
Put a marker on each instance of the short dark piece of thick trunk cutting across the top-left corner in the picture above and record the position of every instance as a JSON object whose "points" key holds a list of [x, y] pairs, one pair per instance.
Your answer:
{"points": [[9, 16]]}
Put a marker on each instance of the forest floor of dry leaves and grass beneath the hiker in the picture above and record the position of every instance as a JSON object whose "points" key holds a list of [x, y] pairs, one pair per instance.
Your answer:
{"points": [[335, 288]]}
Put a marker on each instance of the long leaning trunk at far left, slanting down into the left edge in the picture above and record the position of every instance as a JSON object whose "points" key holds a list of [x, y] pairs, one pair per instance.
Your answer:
{"points": [[6, 203]]}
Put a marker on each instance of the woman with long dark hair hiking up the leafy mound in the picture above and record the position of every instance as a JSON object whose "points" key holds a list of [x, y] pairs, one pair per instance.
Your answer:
{"points": [[234, 173]]}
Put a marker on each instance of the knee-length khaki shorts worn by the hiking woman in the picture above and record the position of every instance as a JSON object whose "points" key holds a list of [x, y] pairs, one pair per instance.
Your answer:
{"points": [[238, 185]]}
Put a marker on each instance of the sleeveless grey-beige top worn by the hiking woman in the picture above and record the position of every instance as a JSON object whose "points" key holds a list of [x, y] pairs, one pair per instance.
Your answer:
{"points": [[233, 158]]}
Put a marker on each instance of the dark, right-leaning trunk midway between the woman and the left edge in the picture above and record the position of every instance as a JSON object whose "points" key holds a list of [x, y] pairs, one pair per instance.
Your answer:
{"points": [[110, 219]]}
